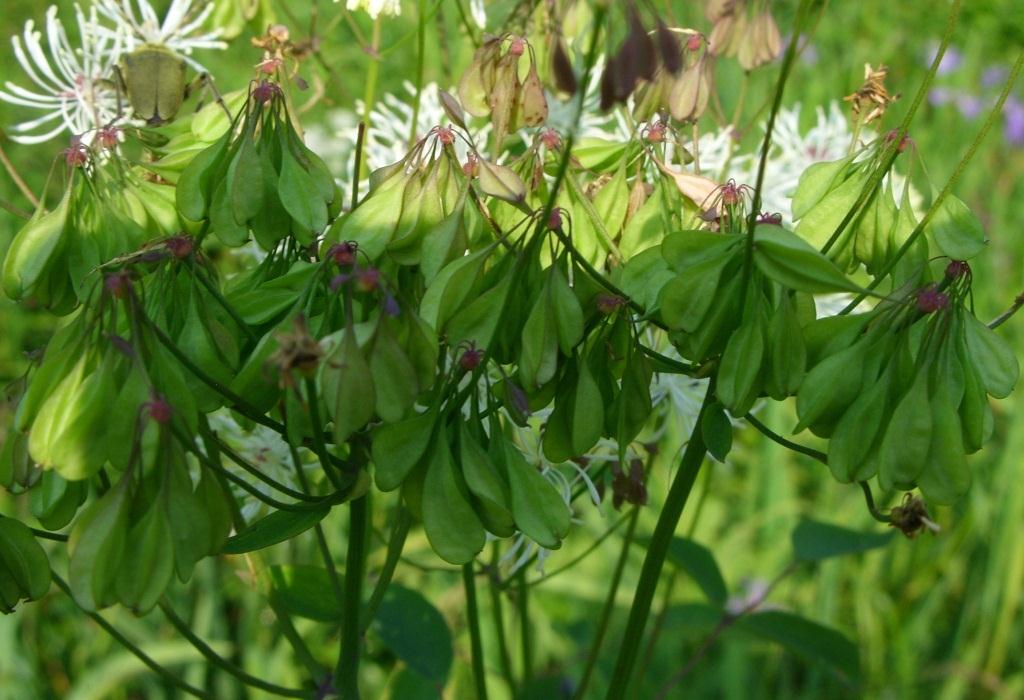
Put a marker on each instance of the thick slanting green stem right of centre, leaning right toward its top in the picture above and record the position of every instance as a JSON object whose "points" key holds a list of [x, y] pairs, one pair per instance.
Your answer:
{"points": [[657, 551]]}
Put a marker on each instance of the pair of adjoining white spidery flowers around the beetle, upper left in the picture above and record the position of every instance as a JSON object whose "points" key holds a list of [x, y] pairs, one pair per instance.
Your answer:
{"points": [[74, 89]]}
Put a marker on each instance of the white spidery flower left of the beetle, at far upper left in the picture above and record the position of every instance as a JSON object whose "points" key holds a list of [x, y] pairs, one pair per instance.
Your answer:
{"points": [[70, 84]]}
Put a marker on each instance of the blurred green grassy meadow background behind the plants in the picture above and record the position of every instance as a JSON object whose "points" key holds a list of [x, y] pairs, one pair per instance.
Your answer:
{"points": [[941, 617]]}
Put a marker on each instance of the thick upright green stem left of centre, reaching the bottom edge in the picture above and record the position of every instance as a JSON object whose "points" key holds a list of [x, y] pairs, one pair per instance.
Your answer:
{"points": [[347, 675]]}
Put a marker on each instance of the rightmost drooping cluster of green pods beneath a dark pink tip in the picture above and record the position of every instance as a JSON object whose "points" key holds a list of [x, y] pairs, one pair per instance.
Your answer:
{"points": [[903, 391]]}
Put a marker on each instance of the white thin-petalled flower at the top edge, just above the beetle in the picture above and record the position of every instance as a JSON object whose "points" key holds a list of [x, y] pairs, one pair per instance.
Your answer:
{"points": [[182, 30]]}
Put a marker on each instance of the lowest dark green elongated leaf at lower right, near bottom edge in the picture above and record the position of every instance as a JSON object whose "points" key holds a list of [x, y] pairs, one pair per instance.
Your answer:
{"points": [[809, 640]]}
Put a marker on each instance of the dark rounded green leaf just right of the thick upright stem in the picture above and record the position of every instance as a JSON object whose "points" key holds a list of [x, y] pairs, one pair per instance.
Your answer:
{"points": [[416, 633]]}
